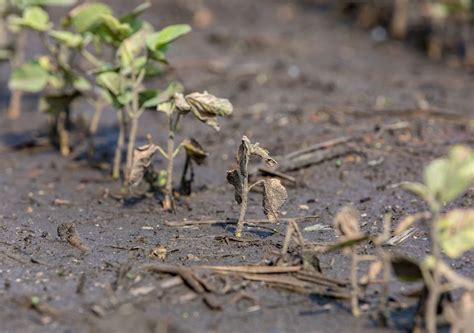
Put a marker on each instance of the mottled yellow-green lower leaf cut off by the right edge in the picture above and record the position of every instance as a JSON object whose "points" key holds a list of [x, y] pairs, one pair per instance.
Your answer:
{"points": [[455, 232]]}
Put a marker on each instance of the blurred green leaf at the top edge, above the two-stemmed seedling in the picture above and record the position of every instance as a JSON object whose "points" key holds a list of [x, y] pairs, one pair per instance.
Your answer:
{"points": [[87, 16]]}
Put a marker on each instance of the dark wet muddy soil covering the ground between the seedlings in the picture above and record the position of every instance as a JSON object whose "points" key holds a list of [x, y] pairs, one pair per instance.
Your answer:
{"points": [[296, 76]]}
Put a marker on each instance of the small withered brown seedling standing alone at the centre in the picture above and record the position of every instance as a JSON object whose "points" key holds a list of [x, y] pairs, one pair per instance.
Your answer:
{"points": [[274, 193]]}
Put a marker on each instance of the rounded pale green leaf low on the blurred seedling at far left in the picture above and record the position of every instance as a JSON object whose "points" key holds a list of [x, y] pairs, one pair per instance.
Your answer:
{"points": [[30, 77]]}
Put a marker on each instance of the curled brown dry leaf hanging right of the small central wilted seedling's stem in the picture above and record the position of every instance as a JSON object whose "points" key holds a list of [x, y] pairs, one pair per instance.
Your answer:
{"points": [[274, 197]]}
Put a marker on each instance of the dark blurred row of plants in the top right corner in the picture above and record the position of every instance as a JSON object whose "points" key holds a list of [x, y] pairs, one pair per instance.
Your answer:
{"points": [[442, 28]]}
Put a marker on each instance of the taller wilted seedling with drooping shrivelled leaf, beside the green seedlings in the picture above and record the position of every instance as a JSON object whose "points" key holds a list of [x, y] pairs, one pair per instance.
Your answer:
{"points": [[205, 107]]}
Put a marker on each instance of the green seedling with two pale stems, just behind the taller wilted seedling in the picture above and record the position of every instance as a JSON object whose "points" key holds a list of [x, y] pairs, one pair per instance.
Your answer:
{"points": [[138, 51]]}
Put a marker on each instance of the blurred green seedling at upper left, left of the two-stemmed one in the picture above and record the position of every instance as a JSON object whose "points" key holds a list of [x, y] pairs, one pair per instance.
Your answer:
{"points": [[53, 74]]}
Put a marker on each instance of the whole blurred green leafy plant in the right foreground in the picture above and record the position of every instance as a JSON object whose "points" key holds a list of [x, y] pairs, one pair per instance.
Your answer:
{"points": [[445, 179]]}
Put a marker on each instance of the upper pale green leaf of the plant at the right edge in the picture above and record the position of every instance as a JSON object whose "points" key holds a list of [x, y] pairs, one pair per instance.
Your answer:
{"points": [[449, 177]]}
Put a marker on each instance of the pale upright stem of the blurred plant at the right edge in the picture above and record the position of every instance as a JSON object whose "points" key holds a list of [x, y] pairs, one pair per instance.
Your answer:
{"points": [[434, 288]]}
